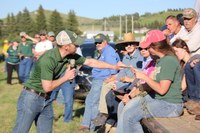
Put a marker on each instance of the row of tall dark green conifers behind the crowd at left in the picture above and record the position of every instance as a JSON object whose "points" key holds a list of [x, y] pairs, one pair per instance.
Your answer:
{"points": [[13, 25]]}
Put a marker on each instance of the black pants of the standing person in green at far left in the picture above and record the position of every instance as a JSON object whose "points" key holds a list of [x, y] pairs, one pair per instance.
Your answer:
{"points": [[10, 68]]}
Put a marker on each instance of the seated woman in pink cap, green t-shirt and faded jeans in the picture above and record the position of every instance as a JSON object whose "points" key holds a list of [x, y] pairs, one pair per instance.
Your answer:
{"points": [[165, 81]]}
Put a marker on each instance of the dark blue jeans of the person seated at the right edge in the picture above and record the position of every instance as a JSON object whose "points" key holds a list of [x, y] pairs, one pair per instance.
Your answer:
{"points": [[193, 81]]}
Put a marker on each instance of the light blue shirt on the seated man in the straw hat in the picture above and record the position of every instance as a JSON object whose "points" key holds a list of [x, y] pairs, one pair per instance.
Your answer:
{"points": [[135, 61]]}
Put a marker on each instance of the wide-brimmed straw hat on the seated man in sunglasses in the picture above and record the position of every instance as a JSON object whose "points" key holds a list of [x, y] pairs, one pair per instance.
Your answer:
{"points": [[128, 38]]}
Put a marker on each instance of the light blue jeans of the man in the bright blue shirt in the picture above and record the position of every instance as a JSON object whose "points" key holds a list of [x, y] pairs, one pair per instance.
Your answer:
{"points": [[92, 104]]}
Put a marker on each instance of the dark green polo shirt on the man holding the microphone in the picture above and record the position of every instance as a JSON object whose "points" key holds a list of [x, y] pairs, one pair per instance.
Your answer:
{"points": [[49, 67]]}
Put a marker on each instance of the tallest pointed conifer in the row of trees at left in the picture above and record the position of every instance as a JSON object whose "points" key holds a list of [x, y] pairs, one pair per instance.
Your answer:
{"points": [[41, 19]]}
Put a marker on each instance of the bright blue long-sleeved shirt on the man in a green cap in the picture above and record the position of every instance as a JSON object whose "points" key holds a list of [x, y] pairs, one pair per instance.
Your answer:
{"points": [[109, 55]]}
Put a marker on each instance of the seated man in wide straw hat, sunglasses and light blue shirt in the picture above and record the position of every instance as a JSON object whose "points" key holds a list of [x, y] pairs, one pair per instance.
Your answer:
{"points": [[132, 58]]}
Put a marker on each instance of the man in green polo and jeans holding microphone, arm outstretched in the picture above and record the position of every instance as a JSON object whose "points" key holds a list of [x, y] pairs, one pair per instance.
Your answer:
{"points": [[34, 103]]}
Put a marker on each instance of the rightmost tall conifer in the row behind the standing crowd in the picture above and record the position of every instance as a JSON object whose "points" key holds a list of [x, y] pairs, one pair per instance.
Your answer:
{"points": [[72, 23]]}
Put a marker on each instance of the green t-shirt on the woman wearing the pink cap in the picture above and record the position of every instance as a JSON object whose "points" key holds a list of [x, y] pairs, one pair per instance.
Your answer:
{"points": [[168, 68]]}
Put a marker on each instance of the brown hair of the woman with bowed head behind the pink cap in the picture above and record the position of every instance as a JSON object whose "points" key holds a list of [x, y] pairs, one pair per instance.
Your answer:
{"points": [[179, 43]]}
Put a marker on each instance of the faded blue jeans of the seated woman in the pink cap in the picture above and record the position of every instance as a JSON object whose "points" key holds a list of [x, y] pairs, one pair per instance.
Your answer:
{"points": [[129, 115]]}
